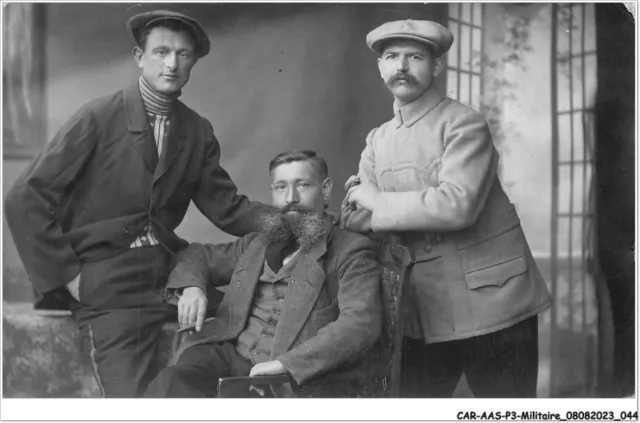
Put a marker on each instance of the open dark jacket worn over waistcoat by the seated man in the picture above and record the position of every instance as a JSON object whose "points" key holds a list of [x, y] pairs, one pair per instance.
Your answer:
{"points": [[332, 309]]}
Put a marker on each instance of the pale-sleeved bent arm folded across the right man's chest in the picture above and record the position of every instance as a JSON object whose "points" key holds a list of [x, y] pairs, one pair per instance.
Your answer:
{"points": [[466, 174]]}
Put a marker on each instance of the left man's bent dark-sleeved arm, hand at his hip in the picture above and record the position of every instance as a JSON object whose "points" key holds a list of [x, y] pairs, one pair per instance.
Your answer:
{"points": [[32, 205]]}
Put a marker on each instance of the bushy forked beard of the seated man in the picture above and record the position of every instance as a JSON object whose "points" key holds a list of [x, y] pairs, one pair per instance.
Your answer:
{"points": [[305, 228]]}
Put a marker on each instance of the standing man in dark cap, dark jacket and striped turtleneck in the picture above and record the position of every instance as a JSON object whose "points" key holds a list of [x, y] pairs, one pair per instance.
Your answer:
{"points": [[93, 216]]}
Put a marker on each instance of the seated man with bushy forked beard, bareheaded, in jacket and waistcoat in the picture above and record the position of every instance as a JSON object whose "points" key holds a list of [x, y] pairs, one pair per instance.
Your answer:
{"points": [[303, 295]]}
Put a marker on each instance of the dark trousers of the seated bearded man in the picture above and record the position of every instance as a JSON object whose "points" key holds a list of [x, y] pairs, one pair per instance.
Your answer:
{"points": [[196, 373]]}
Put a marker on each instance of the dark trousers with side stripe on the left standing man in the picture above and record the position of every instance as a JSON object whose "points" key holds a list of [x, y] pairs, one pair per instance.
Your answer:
{"points": [[120, 314]]}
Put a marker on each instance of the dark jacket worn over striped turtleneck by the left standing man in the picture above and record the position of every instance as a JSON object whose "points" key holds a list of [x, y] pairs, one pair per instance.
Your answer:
{"points": [[95, 186]]}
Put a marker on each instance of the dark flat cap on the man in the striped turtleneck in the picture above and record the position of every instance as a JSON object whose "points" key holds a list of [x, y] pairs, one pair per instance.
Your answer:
{"points": [[136, 24]]}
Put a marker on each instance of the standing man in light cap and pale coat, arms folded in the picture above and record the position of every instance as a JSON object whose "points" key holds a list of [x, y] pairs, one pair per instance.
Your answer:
{"points": [[428, 181]]}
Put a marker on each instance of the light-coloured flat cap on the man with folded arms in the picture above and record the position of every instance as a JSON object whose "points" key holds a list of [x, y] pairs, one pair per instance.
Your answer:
{"points": [[431, 33]]}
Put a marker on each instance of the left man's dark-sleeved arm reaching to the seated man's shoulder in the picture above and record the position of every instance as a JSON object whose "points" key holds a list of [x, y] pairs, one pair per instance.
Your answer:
{"points": [[217, 195]]}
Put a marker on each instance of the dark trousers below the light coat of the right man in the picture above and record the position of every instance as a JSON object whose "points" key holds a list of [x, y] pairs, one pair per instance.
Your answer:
{"points": [[502, 364]]}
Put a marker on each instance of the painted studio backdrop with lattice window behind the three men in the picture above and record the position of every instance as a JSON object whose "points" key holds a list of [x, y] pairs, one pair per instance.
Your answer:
{"points": [[285, 76]]}
